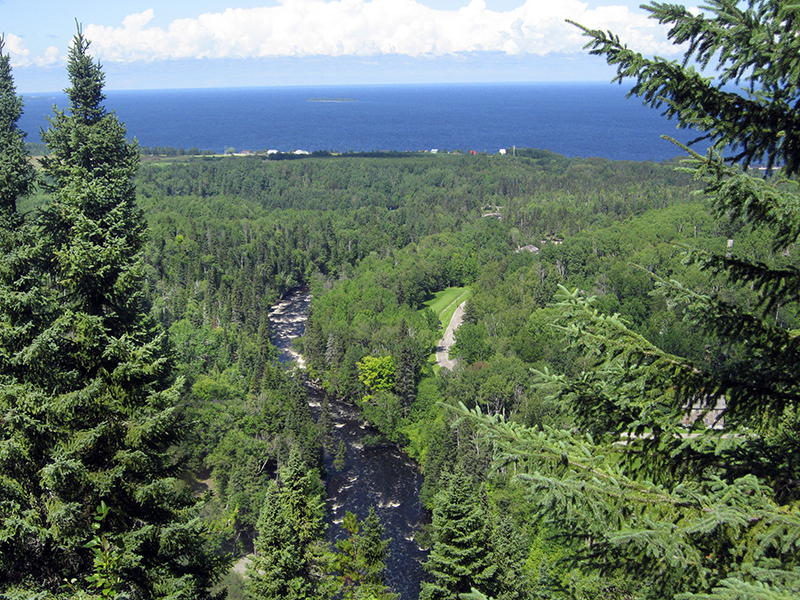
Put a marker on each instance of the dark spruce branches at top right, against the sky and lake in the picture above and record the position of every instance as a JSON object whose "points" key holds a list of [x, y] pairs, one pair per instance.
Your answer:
{"points": [[754, 44]]}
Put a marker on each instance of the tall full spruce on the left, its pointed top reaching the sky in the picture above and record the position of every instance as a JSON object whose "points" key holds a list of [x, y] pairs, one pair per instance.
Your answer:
{"points": [[89, 394]]}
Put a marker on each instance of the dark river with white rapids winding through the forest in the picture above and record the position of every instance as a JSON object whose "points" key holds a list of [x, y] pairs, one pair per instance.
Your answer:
{"points": [[380, 476]]}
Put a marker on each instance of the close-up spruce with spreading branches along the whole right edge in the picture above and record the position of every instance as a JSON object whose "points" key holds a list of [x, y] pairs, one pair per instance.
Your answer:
{"points": [[689, 511]]}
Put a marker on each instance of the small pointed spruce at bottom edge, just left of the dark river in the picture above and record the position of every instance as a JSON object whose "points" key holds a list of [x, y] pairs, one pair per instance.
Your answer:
{"points": [[290, 527]]}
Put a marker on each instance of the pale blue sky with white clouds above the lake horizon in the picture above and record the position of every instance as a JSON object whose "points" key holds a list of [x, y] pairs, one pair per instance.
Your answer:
{"points": [[143, 44]]}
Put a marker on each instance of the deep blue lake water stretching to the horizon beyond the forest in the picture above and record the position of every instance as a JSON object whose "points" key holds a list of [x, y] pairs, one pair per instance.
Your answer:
{"points": [[578, 119]]}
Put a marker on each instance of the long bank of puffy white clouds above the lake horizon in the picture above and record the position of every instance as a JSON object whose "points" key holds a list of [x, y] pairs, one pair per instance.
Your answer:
{"points": [[370, 28]]}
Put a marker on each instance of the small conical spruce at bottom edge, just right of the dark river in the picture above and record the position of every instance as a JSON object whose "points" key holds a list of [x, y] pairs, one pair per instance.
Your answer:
{"points": [[461, 557]]}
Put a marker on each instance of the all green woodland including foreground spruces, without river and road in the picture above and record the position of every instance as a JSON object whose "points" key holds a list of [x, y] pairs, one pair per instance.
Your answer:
{"points": [[150, 438]]}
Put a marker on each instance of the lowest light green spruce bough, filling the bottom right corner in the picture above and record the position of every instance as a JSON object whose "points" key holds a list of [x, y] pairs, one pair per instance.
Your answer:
{"points": [[687, 536]]}
